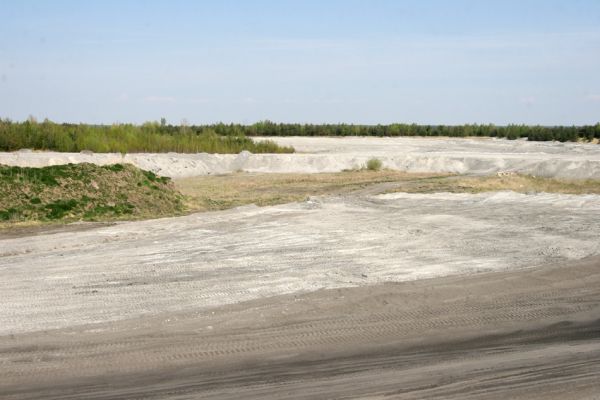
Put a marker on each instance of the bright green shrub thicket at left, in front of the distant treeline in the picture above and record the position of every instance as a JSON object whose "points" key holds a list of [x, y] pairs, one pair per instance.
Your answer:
{"points": [[127, 138]]}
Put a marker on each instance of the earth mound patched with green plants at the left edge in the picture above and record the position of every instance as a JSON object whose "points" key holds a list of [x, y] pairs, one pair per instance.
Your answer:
{"points": [[84, 192]]}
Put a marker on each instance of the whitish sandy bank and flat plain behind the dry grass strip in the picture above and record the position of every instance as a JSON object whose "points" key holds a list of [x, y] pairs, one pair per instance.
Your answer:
{"points": [[475, 156]]}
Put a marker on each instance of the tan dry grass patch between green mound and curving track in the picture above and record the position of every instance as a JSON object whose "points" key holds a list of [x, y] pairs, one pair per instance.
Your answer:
{"points": [[225, 191]]}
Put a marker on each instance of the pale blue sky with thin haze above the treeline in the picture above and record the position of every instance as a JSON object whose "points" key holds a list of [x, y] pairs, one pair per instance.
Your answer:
{"points": [[322, 61]]}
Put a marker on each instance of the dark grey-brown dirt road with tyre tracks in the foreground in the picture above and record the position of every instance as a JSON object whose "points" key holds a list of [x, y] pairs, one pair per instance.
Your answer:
{"points": [[531, 333]]}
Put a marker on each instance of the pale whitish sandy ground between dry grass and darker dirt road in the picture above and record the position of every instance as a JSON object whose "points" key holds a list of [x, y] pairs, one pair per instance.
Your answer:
{"points": [[132, 269]]}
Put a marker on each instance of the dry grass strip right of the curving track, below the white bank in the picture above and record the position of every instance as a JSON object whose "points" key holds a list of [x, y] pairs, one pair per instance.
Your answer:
{"points": [[517, 183]]}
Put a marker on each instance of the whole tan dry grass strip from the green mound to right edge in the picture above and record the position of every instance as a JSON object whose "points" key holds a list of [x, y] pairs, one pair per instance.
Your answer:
{"points": [[207, 193]]}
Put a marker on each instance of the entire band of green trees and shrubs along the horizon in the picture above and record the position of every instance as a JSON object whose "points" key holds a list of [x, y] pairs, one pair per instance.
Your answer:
{"points": [[158, 137]]}
